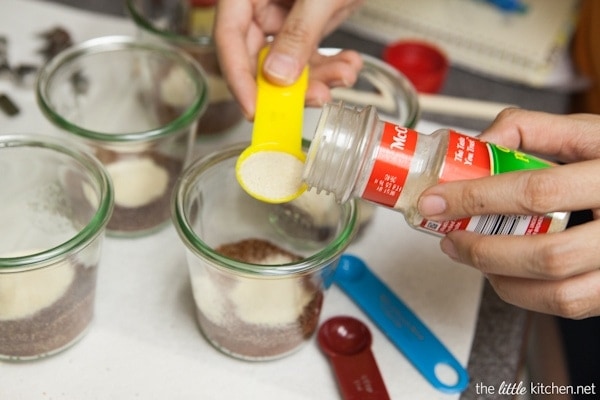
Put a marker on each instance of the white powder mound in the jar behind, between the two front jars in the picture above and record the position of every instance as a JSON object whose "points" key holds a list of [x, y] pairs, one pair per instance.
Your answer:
{"points": [[137, 181]]}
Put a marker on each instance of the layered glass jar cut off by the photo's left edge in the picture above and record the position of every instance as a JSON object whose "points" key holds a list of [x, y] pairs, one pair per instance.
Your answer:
{"points": [[56, 203]]}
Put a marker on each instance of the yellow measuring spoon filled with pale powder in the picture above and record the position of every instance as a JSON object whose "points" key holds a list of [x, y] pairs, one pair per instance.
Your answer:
{"points": [[270, 169]]}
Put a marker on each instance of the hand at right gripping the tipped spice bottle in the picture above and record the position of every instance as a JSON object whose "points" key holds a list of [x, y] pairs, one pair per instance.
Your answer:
{"points": [[555, 273]]}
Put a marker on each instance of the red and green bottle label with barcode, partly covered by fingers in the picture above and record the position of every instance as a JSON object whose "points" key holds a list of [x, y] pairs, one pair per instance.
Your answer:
{"points": [[469, 158]]}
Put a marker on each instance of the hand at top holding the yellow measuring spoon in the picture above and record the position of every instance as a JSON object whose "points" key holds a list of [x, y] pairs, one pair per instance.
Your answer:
{"points": [[242, 28]]}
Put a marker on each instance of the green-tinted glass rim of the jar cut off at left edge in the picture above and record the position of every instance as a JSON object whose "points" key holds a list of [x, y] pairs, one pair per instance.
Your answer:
{"points": [[96, 223]]}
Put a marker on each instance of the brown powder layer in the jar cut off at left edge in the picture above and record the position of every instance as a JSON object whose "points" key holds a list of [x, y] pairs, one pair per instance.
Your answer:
{"points": [[54, 327]]}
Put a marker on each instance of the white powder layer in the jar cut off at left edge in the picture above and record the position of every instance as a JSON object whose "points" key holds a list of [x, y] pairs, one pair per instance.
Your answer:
{"points": [[25, 293]]}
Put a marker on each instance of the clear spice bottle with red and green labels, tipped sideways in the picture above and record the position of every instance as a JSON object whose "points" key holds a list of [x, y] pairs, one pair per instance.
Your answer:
{"points": [[355, 154]]}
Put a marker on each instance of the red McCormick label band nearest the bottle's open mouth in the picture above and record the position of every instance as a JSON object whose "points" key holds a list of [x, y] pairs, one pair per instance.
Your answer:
{"points": [[391, 165]]}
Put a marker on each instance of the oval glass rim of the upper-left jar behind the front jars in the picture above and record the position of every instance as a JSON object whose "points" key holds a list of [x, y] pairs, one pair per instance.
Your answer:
{"points": [[106, 44]]}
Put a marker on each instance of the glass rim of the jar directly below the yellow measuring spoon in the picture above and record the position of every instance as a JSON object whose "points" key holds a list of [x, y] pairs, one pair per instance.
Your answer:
{"points": [[195, 244]]}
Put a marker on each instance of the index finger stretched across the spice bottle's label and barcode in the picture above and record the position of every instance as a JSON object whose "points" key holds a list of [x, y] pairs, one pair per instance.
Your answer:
{"points": [[535, 192]]}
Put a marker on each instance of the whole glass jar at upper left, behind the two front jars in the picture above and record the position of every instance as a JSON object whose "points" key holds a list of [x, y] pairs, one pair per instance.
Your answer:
{"points": [[135, 106]]}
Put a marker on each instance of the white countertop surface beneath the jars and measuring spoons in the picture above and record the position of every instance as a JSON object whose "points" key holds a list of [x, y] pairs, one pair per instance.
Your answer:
{"points": [[144, 342]]}
